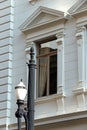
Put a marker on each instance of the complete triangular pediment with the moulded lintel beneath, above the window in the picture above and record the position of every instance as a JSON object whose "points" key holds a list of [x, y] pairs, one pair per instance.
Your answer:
{"points": [[41, 18]]}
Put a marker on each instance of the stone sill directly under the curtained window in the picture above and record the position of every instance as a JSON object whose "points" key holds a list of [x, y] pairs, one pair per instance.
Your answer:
{"points": [[45, 99]]}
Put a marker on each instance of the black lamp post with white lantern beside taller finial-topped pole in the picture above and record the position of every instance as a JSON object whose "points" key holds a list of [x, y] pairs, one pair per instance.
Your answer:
{"points": [[21, 92]]}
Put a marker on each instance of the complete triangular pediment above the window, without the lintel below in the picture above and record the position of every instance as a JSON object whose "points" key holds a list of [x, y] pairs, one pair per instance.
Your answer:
{"points": [[42, 16]]}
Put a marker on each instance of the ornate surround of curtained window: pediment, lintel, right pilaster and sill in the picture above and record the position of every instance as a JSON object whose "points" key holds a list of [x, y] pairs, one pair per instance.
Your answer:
{"points": [[43, 24]]}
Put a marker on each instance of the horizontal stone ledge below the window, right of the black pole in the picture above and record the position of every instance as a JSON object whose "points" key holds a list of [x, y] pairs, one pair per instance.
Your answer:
{"points": [[61, 118]]}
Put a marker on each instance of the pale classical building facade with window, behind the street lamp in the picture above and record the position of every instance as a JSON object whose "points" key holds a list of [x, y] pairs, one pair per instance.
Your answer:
{"points": [[58, 31]]}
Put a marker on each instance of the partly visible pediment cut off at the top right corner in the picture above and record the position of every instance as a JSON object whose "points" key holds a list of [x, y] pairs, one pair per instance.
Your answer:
{"points": [[80, 6]]}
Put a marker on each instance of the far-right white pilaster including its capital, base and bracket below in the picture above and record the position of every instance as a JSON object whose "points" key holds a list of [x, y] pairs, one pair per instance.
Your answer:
{"points": [[80, 90]]}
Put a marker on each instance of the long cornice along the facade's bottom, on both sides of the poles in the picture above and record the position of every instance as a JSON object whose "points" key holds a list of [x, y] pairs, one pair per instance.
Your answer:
{"points": [[64, 118]]}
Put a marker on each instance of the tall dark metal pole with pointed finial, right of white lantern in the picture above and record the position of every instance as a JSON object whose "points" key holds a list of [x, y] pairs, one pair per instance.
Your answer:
{"points": [[31, 86]]}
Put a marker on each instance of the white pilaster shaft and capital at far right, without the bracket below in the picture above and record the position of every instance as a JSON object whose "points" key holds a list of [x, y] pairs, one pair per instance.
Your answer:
{"points": [[81, 67]]}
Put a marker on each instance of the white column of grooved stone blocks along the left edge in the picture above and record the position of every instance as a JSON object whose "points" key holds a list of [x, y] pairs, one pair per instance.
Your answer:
{"points": [[6, 57]]}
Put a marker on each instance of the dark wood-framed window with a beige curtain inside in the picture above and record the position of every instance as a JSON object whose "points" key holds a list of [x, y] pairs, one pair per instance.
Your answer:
{"points": [[47, 67]]}
